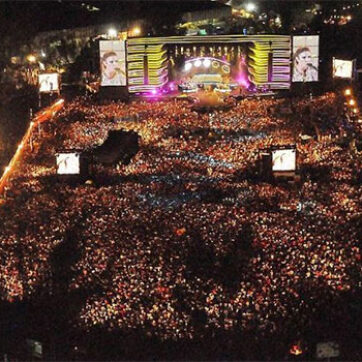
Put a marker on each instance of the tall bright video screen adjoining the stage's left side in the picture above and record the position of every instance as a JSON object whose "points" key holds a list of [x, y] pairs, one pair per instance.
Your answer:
{"points": [[113, 62]]}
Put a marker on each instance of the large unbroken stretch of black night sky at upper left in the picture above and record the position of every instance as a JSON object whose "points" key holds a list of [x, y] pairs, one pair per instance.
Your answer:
{"points": [[60, 14]]}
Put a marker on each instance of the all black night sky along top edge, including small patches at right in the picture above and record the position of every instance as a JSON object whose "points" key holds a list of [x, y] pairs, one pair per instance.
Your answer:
{"points": [[26, 18]]}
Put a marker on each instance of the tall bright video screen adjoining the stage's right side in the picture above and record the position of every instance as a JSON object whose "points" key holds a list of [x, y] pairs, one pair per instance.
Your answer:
{"points": [[305, 58]]}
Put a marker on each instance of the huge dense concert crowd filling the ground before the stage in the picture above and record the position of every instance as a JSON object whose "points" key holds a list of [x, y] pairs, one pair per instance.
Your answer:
{"points": [[184, 243]]}
